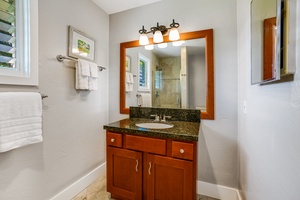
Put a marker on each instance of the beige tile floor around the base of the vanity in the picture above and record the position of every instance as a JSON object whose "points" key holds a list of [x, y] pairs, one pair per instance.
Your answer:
{"points": [[97, 191]]}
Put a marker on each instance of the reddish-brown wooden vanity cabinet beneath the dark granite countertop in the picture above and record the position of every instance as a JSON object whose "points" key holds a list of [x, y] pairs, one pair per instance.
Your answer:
{"points": [[147, 168]]}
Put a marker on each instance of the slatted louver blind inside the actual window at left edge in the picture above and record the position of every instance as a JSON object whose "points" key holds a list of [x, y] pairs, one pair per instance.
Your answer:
{"points": [[7, 33]]}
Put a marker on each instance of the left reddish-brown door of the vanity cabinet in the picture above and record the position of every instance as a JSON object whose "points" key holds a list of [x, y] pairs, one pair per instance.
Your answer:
{"points": [[124, 173]]}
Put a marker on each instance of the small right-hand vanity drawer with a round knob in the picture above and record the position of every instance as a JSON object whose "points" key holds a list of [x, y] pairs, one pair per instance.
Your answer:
{"points": [[182, 150]]}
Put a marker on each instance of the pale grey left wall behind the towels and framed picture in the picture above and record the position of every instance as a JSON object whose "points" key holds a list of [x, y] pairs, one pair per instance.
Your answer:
{"points": [[74, 140]]}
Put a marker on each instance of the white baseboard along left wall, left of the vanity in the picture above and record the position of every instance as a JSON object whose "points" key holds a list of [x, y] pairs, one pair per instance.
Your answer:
{"points": [[81, 184]]}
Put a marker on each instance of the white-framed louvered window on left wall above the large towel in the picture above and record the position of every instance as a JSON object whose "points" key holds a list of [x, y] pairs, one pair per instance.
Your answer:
{"points": [[19, 42]]}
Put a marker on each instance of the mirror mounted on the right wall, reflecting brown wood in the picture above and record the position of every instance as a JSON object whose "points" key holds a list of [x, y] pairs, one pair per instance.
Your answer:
{"points": [[266, 40]]}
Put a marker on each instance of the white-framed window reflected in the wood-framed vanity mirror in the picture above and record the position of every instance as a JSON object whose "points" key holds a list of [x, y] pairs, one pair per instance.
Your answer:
{"points": [[144, 73]]}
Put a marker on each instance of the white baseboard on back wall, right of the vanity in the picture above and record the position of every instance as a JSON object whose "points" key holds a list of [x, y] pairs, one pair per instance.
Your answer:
{"points": [[218, 191]]}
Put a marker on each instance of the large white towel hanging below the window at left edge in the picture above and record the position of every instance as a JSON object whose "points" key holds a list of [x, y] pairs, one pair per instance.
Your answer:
{"points": [[20, 119]]}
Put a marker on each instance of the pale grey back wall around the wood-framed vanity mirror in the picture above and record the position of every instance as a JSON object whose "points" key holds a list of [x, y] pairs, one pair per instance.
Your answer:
{"points": [[218, 138]]}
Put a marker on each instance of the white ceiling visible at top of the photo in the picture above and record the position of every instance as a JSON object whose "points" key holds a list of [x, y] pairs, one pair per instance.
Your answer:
{"points": [[114, 6]]}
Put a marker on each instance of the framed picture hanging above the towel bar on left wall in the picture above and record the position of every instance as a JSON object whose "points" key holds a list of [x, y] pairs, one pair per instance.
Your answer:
{"points": [[81, 45]]}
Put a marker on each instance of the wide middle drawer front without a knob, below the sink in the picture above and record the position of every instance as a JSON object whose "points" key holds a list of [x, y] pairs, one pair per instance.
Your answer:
{"points": [[145, 144]]}
